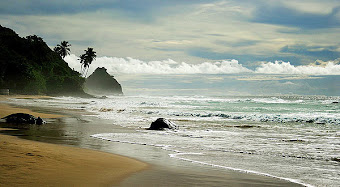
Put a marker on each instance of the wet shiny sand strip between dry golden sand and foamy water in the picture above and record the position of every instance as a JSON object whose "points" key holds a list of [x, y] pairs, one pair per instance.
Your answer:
{"points": [[159, 172]]}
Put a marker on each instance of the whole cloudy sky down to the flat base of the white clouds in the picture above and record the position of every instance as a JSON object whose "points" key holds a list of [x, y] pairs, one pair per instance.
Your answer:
{"points": [[188, 37]]}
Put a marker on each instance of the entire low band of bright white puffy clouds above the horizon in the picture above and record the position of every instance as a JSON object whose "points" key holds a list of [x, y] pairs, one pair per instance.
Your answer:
{"points": [[130, 65]]}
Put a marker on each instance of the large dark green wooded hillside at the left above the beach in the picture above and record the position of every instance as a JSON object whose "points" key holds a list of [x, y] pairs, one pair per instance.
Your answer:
{"points": [[29, 66]]}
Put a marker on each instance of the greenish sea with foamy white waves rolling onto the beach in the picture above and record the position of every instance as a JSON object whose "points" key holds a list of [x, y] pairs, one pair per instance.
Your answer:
{"points": [[296, 138]]}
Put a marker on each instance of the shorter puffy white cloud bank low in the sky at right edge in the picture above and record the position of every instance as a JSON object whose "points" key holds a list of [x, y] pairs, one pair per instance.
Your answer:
{"points": [[280, 67]]}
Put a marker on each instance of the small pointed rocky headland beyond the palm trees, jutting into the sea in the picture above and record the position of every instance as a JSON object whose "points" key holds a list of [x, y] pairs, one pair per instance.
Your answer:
{"points": [[100, 82]]}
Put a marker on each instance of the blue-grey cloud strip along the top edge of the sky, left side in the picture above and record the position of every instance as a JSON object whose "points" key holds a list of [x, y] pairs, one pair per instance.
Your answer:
{"points": [[145, 8]]}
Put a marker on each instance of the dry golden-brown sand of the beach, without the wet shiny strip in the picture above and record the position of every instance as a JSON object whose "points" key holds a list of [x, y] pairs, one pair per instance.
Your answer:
{"points": [[31, 163]]}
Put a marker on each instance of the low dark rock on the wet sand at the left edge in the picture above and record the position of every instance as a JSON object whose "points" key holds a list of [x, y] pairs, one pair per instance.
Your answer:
{"points": [[22, 118]]}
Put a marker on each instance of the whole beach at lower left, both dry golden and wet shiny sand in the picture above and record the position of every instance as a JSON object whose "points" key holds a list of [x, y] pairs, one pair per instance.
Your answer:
{"points": [[30, 163]]}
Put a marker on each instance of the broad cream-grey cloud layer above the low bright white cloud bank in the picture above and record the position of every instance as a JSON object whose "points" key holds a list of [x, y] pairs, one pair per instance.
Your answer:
{"points": [[192, 31]]}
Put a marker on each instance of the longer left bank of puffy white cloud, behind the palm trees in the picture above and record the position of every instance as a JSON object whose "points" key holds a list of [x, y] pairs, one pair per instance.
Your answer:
{"points": [[134, 66]]}
